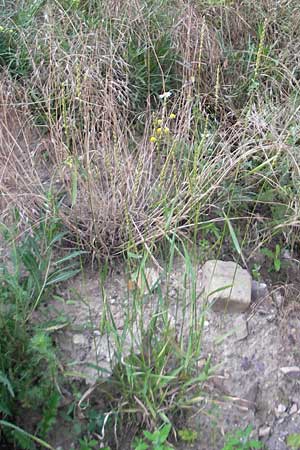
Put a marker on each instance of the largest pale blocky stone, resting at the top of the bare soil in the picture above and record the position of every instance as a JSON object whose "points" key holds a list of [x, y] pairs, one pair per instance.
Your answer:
{"points": [[227, 287]]}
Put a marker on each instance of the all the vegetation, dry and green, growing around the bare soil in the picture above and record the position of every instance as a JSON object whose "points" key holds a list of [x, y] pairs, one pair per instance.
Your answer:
{"points": [[138, 132]]}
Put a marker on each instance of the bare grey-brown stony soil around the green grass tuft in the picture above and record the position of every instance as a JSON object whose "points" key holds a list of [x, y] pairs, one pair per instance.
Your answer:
{"points": [[250, 387]]}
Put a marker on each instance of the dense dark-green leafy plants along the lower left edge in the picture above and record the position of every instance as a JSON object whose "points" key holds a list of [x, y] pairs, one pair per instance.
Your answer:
{"points": [[29, 368]]}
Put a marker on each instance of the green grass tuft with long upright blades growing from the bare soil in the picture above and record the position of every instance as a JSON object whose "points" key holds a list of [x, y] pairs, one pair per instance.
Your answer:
{"points": [[155, 371]]}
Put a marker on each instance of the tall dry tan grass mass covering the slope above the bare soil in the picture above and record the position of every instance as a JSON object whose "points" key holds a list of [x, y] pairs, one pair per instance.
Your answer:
{"points": [[127, 166]]}
